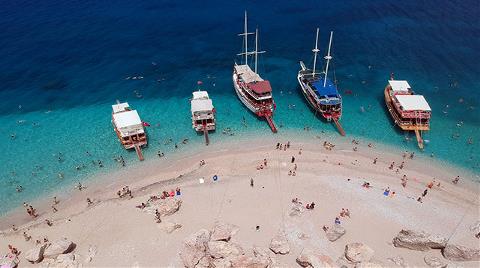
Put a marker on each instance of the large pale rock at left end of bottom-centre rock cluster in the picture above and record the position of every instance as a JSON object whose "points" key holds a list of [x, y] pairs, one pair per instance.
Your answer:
{"points": [[194, 248]]}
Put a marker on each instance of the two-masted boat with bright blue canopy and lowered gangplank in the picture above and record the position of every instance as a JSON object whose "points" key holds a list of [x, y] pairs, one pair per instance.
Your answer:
{"points": [[319, 91]]}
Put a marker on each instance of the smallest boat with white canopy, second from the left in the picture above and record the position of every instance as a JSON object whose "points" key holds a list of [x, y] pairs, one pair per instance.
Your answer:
{"points": [[203, 113]]}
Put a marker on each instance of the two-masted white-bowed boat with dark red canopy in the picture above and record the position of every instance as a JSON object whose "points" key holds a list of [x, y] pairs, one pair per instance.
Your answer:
{"points": [[252, 90]]}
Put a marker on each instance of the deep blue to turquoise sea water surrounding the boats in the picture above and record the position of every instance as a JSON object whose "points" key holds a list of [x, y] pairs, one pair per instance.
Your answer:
{"points": [[63, 63]]}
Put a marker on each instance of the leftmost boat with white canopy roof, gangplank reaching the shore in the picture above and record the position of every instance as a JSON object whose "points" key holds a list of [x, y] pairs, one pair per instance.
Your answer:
{"points": [[129, 128]]}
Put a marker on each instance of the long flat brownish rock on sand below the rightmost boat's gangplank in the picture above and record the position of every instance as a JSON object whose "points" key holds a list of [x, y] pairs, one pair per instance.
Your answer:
{"points": [[418, 240]]}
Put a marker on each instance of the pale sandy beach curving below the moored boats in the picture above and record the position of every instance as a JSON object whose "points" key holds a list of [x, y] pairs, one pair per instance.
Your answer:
{"points": [[126, 236]]}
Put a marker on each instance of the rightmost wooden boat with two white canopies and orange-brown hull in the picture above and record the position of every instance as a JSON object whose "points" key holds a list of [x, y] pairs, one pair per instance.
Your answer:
{"points": [[409, 111]]}
